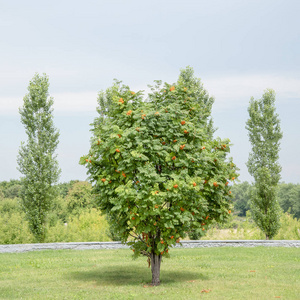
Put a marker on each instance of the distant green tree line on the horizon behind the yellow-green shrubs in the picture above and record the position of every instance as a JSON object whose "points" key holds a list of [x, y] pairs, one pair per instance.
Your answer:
{"points": [[73, 196]]}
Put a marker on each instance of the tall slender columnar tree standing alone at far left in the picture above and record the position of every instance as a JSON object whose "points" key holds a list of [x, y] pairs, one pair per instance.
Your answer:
{"points": [[37, 159]]}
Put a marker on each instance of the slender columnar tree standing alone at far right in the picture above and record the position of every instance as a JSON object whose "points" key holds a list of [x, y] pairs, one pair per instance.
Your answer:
{"points": [[264, 133]]}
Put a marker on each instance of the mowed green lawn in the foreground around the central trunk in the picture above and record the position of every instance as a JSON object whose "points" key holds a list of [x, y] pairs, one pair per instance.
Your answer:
{"points": [[209, 273]]}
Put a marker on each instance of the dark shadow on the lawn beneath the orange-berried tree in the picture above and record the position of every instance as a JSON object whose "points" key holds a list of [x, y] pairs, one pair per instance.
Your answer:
{"points": [[132, 275]]}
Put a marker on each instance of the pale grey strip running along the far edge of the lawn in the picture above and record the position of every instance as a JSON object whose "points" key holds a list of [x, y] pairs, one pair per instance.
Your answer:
{"points": [[117, 245]]}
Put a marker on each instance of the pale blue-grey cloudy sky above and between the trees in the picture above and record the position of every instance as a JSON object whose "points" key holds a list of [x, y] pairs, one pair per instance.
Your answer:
{"points": [[238, 49]]}
